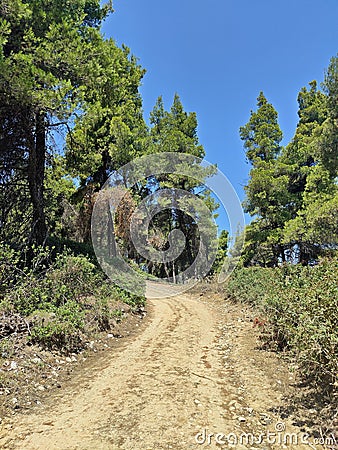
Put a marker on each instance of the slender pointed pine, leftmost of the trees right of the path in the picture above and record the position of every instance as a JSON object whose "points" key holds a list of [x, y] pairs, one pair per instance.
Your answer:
{"points": [[266, 191]]}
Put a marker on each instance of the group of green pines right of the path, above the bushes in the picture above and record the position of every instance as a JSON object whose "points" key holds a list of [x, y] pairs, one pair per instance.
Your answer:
{"points": [[292, 191]]}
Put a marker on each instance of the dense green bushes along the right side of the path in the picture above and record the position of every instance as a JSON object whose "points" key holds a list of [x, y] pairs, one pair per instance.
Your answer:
{"points": [[301, 308]]}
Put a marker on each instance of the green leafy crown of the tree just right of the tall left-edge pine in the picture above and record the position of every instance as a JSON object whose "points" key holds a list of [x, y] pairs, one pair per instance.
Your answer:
{"points": [[111, 129]]}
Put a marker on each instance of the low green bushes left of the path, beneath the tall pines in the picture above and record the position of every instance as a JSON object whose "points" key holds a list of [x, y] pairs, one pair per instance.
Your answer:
{"points": [[63, 300]]}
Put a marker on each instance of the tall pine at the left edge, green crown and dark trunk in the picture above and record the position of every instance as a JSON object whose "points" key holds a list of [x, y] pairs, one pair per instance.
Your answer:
{"points": [[46, 62]]}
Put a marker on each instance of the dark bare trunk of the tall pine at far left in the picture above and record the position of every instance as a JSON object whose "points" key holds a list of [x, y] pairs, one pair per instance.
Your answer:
{"points": [[36, 176]]}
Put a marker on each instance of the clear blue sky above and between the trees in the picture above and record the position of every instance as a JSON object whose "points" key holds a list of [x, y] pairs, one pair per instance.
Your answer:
{"points": [[219, 54]]}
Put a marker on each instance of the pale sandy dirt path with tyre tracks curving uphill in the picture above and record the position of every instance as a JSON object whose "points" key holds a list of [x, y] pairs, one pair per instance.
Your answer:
{"points": [[191, 372]]}
